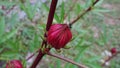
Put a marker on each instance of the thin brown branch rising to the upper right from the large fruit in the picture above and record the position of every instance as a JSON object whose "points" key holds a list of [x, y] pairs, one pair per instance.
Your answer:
{"points": [[82, 14]]}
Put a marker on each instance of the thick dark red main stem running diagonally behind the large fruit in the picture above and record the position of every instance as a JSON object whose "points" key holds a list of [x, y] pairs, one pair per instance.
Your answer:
{"points": [[49, 23]]}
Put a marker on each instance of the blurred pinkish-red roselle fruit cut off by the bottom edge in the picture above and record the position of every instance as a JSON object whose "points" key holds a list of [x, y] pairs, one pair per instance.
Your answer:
{"points": [[14, 64]]}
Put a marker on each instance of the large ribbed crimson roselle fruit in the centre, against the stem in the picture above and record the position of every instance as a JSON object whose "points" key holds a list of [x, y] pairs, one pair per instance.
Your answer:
{"points": [[59, 35]]}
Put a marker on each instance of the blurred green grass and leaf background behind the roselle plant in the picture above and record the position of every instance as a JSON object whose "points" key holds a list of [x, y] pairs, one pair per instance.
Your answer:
{"points": [[23, 22]]}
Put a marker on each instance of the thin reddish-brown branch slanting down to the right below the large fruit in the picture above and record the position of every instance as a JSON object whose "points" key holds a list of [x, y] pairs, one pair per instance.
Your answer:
{"points": [[67, 60]]}
